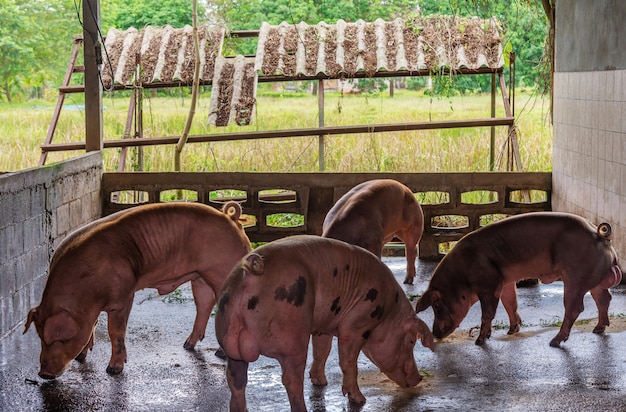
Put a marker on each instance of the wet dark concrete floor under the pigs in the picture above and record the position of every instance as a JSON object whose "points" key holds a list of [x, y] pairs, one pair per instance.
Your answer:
{"points": [[510, 373]]}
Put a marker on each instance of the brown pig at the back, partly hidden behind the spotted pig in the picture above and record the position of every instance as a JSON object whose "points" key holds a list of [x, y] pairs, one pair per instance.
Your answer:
{"points": [[372, 213]]}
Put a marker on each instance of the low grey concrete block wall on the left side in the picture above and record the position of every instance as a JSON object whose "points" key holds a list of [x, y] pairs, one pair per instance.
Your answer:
{"points": [[38, 208]]}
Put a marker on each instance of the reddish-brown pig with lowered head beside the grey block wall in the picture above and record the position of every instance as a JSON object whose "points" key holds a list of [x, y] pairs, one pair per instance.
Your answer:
{"points": [[100, 266]]}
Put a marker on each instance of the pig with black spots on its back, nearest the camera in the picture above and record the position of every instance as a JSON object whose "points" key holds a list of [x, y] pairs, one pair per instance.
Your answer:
{"points": [[287, 290]]}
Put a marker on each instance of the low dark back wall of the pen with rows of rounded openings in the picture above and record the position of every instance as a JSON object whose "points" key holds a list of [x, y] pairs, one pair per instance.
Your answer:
{"points": [[445, 197]]}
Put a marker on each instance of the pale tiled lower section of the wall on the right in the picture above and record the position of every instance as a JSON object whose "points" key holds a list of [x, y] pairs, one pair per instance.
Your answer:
{"points": [[589, 158]]}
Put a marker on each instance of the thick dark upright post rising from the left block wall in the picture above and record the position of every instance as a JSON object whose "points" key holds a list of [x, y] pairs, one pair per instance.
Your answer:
{"points": [[93, 87]]}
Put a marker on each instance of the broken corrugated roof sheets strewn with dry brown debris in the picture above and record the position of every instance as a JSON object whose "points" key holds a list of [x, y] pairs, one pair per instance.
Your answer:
{"points": [[164, 55]]}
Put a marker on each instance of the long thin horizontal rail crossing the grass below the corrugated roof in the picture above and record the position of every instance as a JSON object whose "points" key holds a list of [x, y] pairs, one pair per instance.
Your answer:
{"points": [[270, 134]]}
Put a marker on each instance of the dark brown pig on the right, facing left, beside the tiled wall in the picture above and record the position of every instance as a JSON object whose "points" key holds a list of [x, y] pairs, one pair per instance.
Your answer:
{"points": [[485, 264]]}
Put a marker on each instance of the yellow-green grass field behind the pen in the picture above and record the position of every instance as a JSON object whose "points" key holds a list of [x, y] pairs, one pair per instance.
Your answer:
{"points": [[23, 128]]}
